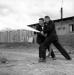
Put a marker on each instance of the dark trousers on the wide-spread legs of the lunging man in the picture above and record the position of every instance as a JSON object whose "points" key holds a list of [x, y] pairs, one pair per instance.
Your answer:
{"points": [[56, 43]]}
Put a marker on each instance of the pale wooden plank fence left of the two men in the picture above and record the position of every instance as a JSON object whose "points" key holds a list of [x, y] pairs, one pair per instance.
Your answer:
{"points": [[15, 36]]}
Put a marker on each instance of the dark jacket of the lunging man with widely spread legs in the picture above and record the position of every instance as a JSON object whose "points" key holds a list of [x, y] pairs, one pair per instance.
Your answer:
{"points": [[49, 29]]}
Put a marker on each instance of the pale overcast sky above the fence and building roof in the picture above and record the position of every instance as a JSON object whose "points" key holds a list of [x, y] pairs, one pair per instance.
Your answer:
{"points": [[24, 12]]}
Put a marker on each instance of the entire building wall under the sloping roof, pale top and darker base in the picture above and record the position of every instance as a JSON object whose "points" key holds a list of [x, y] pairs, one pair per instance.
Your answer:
{"points": [[66, 37]]}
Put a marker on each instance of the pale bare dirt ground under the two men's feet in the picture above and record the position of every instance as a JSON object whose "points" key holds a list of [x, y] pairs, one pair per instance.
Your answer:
{"points": [[25, 62]]}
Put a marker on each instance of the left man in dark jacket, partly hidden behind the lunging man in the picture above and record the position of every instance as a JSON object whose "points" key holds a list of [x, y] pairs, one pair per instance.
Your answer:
{"points": [[41, 37]]}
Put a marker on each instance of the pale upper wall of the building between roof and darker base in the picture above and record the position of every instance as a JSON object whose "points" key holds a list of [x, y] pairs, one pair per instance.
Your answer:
{"points": [[63, 28]]}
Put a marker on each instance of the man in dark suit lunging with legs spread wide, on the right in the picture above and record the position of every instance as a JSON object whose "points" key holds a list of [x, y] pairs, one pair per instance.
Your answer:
{"points": [[51, 38]]}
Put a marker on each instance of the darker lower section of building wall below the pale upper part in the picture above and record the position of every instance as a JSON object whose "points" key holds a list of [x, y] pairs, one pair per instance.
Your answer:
{"points": [[67, 40]]}
